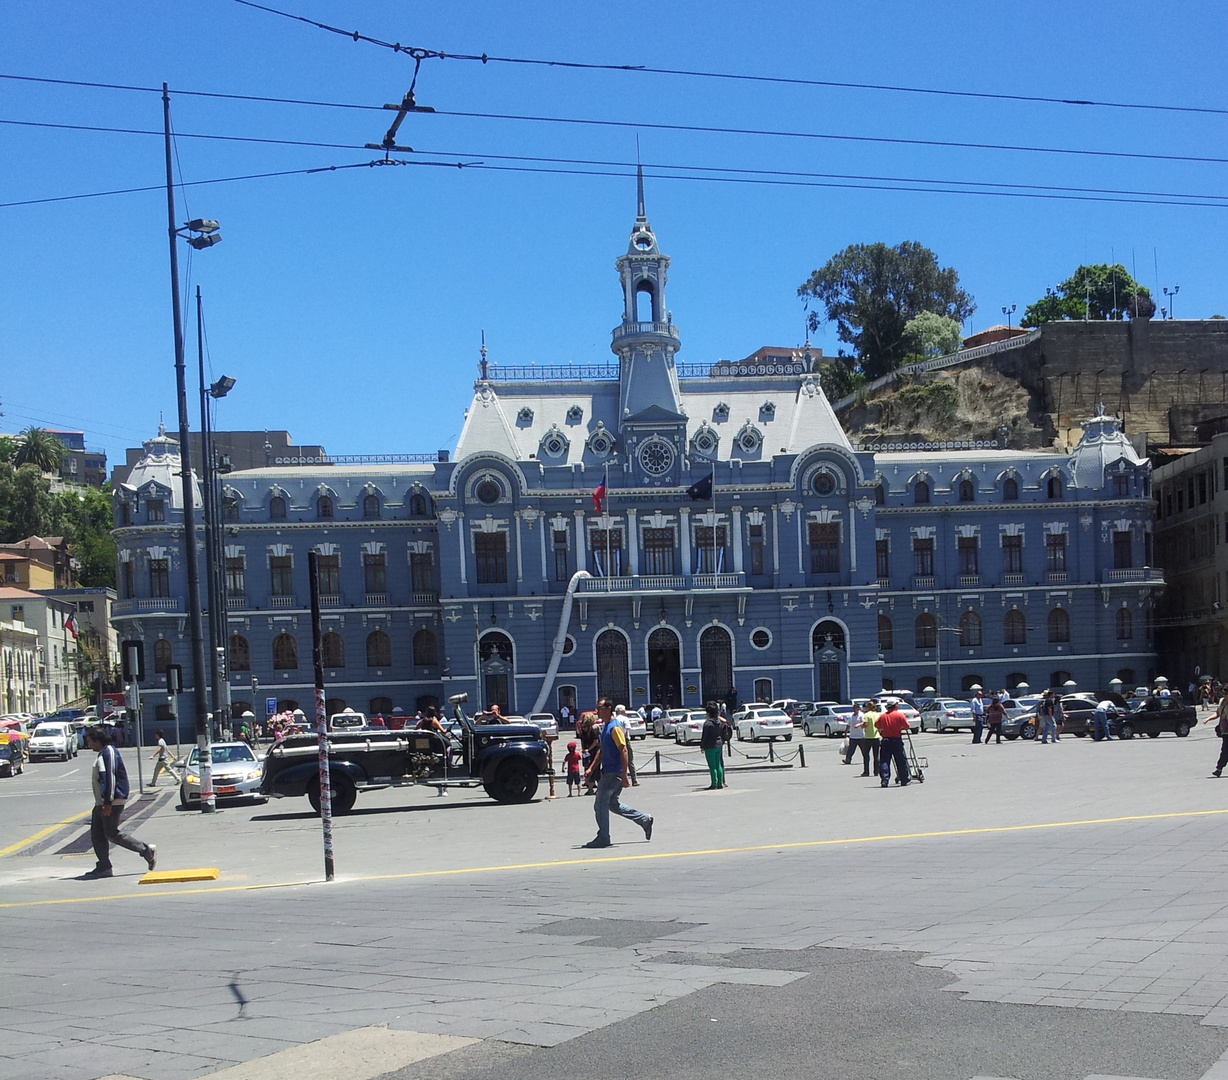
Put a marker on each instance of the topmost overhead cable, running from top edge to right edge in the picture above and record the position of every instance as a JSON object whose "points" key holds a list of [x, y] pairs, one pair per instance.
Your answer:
{"points": [[421, 53]]}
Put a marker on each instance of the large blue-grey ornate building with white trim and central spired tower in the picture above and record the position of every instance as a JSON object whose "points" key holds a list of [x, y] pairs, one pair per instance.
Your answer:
{"points": [[659, 531]]}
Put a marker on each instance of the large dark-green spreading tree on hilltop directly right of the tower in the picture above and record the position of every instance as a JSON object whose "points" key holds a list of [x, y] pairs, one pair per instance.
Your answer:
{"points": [[871, 292]]}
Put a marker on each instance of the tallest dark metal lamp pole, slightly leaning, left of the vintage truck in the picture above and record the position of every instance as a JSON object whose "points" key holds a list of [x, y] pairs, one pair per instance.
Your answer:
{"points": [[204, 735]]}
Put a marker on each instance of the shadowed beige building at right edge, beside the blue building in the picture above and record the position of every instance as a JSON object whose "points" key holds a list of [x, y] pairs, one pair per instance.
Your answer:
{"points": [[1192, 545]]}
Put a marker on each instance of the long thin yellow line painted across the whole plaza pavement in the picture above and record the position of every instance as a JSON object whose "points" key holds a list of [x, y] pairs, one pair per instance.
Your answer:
{"points": [[642, 858]]}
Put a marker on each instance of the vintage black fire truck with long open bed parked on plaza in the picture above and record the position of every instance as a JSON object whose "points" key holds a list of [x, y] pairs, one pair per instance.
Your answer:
{"points": [[505, 760]]}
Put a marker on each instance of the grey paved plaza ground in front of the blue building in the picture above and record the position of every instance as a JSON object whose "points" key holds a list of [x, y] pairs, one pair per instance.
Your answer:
{"points": [[1028, 912]]}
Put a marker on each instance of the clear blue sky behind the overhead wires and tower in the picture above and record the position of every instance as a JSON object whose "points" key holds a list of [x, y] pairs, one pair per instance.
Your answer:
{"points": [[349, 305]]}
